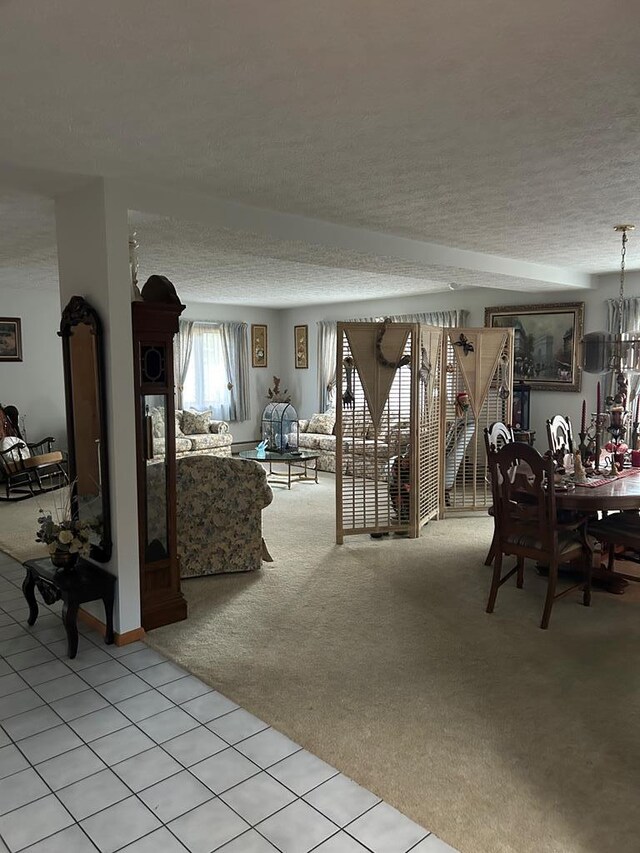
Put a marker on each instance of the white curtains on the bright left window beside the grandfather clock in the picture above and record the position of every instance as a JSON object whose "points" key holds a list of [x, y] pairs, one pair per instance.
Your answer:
{"points": [[216, 375]]}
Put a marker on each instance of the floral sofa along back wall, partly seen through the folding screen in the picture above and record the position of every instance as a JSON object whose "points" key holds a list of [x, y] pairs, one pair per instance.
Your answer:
{"points": [[362, 454]]}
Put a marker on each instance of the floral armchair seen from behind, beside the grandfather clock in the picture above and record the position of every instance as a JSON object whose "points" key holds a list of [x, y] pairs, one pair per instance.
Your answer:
{"points": [[219, 514]]}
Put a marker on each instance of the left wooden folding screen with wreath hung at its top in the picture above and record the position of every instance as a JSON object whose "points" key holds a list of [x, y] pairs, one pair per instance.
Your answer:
{"points": [[388, 418]]}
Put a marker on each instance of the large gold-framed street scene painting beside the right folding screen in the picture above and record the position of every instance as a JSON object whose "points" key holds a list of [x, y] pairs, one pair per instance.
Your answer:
{"points": [[547, 343]]}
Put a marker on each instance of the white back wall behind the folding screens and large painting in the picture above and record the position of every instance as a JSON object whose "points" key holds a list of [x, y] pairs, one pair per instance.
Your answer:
{"points": [[544, 404]]}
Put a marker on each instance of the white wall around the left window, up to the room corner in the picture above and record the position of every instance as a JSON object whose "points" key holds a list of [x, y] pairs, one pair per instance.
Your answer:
{"points": [[260, 378]]}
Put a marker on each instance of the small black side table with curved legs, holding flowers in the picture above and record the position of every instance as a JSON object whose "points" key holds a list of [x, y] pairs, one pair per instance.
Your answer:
{"points": [[85, 582]]}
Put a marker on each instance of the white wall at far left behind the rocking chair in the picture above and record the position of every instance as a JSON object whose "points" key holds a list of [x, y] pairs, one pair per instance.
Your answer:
{"points": [[36, 384]]}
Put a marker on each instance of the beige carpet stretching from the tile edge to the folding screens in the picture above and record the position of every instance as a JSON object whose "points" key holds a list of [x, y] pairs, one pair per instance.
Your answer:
{"points": [[378, 657]]}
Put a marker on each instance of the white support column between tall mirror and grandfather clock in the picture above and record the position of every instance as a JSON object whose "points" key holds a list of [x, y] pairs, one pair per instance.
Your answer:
{"points": [[93, 262]]}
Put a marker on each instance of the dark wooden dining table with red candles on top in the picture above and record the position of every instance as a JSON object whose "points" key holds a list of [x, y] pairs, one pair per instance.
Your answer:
{"points": [[604, 494]]}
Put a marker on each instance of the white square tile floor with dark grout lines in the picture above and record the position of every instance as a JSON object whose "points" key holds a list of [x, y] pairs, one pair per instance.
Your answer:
{"points": [[121, 750]]}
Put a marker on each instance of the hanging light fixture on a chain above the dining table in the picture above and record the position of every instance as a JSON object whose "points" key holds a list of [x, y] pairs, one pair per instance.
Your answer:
{"points": [[620, 351]]}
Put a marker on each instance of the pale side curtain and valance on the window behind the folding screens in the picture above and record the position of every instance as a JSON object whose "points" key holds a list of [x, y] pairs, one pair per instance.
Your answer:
{"points": [[328, 344]]}
